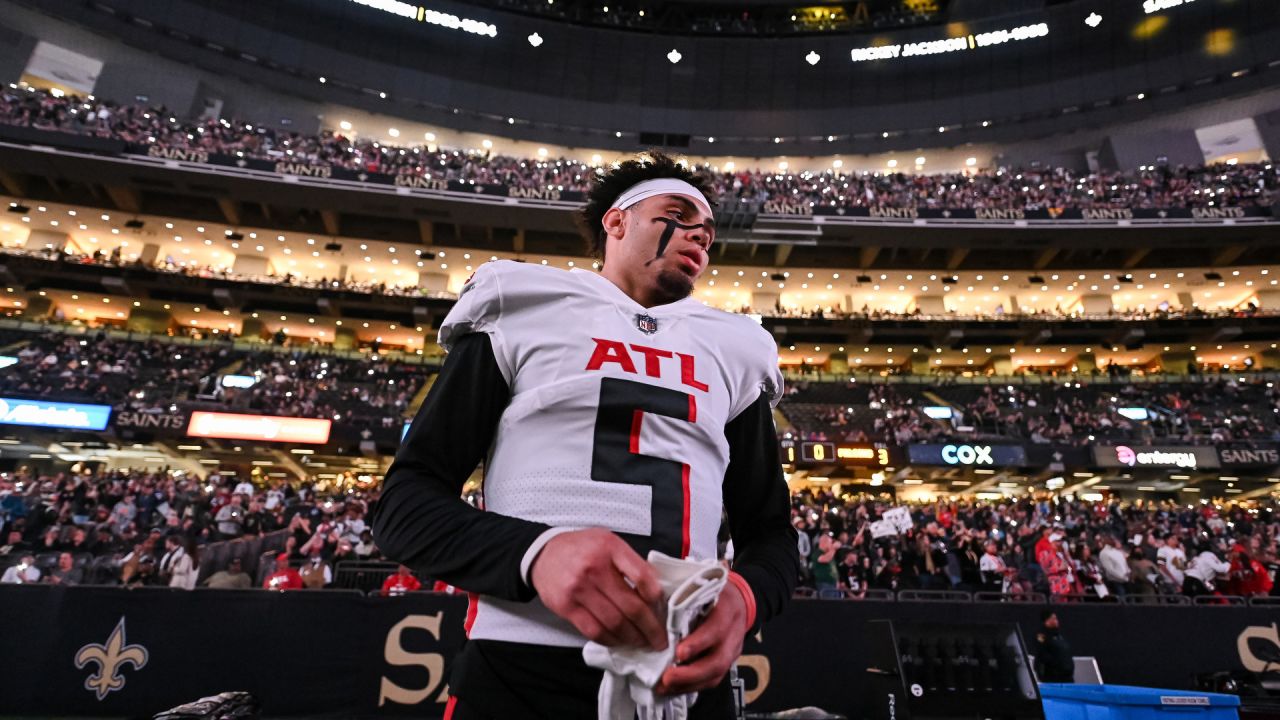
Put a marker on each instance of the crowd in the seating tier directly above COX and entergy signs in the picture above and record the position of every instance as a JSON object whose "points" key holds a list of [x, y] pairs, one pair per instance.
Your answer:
{"points": [[1224, 411]]}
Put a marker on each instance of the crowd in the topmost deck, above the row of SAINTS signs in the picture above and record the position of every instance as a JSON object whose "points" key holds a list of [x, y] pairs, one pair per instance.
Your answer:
{"points": [[1238, 185]]}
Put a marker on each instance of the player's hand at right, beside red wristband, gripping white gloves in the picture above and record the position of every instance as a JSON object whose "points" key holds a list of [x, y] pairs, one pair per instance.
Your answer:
{"points": [[711, 650]]}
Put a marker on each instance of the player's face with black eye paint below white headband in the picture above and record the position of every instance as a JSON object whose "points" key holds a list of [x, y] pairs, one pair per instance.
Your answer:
{"points": [[660, 248]]}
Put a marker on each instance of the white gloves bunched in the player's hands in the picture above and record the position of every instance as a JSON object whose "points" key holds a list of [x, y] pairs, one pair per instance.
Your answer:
{"points": [[689, 590]]}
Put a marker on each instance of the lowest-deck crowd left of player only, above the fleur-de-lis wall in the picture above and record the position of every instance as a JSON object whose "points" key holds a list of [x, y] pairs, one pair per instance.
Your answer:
{"points": [[148, 528]]}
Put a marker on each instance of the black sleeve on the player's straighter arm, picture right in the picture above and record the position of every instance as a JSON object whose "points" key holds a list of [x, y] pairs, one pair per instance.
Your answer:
{"points": [[760, 511]]}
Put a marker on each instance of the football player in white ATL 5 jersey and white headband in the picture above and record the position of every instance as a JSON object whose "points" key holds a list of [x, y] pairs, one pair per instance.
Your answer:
{"points": [[615, 416]]}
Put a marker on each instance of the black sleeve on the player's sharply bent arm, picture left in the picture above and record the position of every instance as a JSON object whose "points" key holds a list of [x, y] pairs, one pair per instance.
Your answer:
{"points": [[420, 520]]}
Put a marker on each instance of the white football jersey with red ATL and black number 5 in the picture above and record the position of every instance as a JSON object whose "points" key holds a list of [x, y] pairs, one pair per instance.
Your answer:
{"points": [[616, 420]]}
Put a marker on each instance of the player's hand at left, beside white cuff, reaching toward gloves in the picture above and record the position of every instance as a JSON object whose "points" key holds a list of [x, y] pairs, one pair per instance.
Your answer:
{"points": [[595, 580]]}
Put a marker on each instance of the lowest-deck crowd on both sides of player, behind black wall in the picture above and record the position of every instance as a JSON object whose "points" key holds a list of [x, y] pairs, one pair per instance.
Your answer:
{"points": [[148, 528]]}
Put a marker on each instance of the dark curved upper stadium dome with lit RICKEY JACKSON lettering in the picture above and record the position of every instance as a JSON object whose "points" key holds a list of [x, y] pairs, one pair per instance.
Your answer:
{"points": [[582, 86]]}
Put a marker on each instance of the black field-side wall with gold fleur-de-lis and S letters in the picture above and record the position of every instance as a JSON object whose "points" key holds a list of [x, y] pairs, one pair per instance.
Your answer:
{"points": [[95, 651]]}
